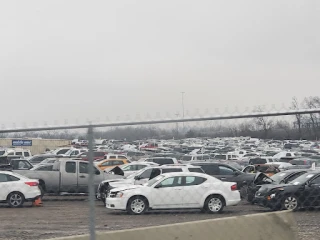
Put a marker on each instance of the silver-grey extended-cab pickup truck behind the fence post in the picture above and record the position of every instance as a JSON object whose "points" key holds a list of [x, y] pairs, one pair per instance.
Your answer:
{"points": [[67, 175]]}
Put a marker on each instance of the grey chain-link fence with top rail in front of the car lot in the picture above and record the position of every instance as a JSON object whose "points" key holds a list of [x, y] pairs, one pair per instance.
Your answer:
{"points": [[168, 168]]}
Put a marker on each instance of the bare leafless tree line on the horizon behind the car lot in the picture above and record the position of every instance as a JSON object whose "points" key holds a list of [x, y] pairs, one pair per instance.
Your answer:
{"points": [[300, 126]]}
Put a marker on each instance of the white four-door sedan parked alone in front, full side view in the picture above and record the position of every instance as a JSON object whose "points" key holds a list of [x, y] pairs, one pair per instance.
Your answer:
{"points": [[175, 191]]}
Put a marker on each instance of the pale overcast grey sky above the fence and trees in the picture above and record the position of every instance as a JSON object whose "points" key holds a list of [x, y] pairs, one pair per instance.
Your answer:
{"points": [[92, 59]]}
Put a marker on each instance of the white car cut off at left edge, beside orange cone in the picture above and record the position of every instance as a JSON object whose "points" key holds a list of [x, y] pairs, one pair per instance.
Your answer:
{"points": [[17, 189]]}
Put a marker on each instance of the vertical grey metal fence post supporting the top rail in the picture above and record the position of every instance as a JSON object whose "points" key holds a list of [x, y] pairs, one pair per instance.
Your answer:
{"points": [[91, 186]]}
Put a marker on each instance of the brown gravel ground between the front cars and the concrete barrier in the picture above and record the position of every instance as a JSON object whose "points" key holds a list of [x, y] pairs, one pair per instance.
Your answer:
{"points": [[64, 218]]}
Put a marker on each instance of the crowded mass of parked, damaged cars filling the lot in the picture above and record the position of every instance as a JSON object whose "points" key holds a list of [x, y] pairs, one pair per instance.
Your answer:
{"points": [[132, 184]]}
